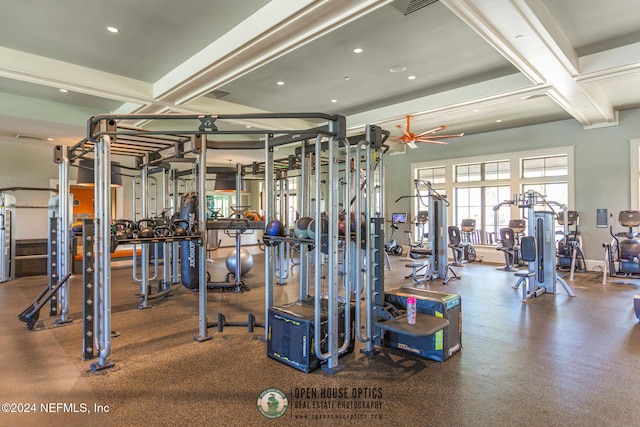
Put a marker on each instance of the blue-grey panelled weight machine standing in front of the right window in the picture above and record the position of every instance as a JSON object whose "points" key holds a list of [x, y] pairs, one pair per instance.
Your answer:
{"points": [[540, 250]]}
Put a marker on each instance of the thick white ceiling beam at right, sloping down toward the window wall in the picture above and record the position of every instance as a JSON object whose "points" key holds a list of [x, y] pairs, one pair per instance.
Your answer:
{"points": [[524, 32]]}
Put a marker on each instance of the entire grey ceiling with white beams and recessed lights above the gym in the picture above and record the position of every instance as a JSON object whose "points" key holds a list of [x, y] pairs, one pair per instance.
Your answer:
{"points": [[475, 65]]}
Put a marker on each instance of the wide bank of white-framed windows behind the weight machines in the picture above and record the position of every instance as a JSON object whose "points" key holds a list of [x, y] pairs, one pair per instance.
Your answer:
{"points": [[481, 183]]}
